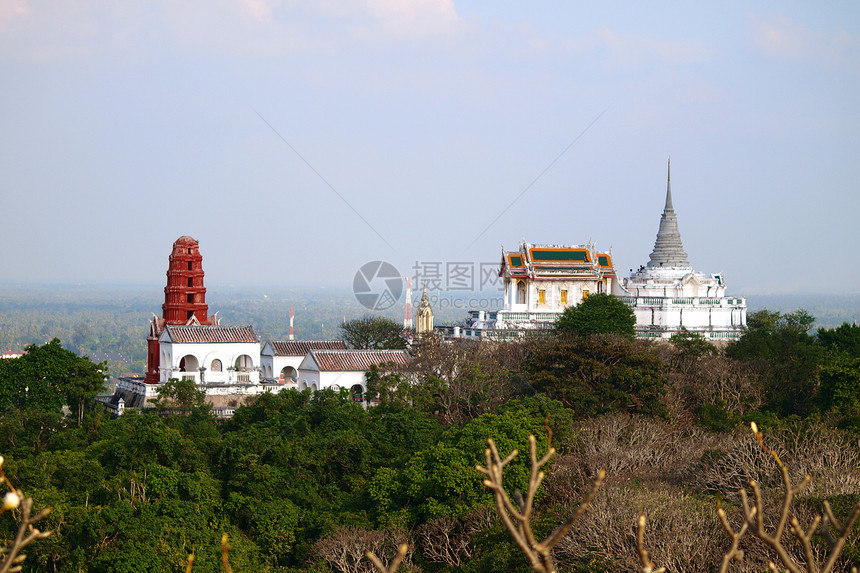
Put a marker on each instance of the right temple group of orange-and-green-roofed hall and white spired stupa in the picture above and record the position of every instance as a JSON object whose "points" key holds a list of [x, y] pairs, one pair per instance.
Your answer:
{"points": [[666, 295]]}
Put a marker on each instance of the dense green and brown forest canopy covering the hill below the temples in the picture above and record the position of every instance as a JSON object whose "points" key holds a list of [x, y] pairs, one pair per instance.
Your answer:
{"points": [[308, 482]]}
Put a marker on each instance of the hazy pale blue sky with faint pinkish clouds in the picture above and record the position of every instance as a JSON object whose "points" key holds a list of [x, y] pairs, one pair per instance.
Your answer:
{"points": [[124, 125]]}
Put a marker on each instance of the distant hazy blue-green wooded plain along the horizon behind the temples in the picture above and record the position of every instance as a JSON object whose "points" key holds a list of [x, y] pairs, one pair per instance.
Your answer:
{"points": [[104, 322]]}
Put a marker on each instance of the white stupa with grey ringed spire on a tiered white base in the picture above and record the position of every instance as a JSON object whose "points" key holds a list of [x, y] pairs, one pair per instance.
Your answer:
{"points": [[667, 295]]}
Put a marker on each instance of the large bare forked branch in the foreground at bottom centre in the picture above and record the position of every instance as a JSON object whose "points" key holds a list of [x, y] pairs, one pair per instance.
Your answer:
{"points": [[517, 519]]}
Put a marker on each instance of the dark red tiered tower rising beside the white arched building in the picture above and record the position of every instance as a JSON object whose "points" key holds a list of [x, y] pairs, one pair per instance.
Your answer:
{"points": [[184, 298]]}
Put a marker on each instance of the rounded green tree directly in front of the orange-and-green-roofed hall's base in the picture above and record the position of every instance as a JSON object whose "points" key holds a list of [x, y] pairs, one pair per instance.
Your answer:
{"points": [[600, 313]]}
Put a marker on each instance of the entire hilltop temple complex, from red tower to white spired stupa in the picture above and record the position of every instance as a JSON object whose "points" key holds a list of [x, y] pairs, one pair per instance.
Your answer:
{"points": [[540, 281]]}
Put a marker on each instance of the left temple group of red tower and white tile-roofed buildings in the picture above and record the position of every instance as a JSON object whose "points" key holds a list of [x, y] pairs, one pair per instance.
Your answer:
{"points": [[227, 362]]}
